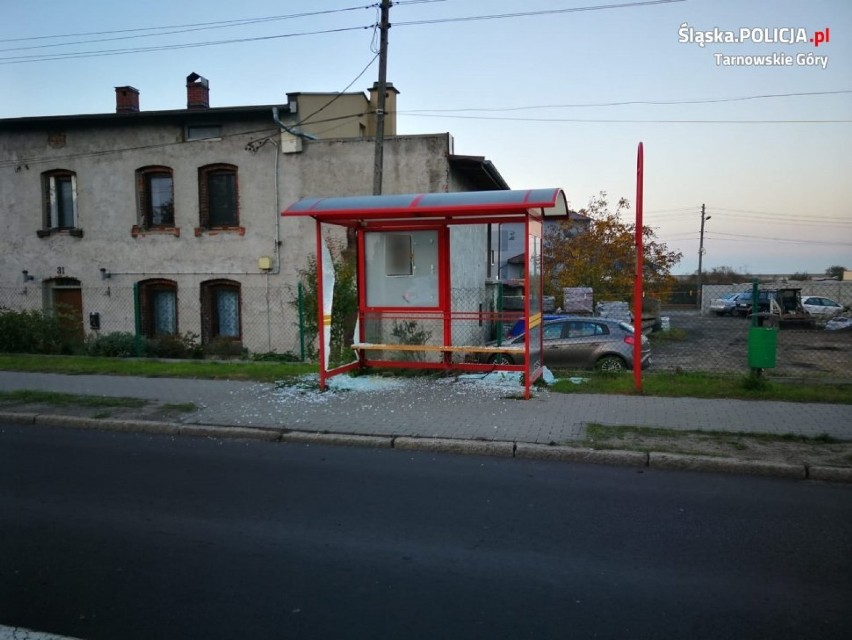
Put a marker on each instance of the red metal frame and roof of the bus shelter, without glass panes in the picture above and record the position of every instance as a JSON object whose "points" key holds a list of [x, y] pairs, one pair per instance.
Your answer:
{"points": [[438, 212]]}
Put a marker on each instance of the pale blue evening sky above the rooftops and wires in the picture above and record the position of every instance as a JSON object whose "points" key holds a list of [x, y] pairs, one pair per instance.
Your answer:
{"points": [[556, 93]]}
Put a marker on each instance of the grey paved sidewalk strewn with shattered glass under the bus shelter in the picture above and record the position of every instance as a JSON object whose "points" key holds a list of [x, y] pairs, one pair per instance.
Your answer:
{"points": [[458, 408]]}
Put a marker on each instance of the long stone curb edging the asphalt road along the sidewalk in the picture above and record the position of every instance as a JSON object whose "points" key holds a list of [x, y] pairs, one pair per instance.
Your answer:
{"points": [[495, 448]]}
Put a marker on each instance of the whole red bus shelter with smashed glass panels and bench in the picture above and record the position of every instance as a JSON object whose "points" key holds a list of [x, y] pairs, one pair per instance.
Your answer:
{"points": [[411, 313]]}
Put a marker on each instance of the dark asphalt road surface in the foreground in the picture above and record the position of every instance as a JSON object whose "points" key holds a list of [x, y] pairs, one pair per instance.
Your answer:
{"points": [[116, 535]]}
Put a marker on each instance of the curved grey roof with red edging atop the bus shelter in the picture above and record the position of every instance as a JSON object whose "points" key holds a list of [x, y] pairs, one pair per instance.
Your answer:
{"points": [[461, 206]]}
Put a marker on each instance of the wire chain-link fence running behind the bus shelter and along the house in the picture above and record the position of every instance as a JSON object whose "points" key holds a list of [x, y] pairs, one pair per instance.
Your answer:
{"points": [[687, 339]]}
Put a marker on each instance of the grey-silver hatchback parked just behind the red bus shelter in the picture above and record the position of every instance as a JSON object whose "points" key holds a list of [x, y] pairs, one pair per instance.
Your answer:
{"points": [[582, 342]]}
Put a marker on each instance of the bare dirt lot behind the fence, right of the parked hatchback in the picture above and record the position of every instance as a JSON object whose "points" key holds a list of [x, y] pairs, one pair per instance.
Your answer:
{"points": [[715, 343]]}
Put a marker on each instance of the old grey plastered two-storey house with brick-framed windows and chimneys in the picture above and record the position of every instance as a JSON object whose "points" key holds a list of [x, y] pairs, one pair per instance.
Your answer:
{"points": [[168, 222]]}
